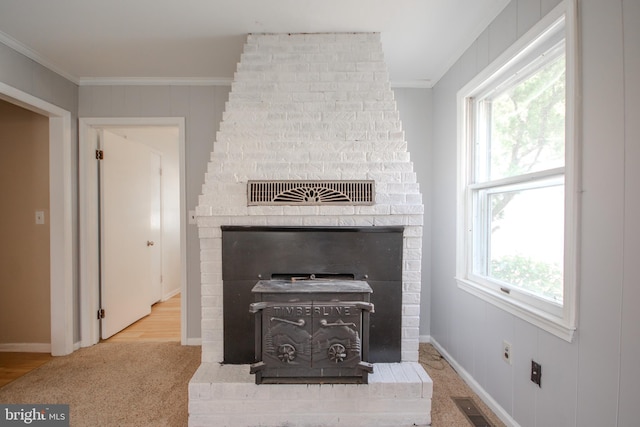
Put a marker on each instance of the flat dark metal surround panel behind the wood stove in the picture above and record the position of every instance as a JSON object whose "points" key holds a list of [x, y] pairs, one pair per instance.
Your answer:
{"points": [[254, 253]]}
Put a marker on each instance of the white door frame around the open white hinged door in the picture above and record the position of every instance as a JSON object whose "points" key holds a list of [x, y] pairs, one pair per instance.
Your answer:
{"points": [[89, 225]]}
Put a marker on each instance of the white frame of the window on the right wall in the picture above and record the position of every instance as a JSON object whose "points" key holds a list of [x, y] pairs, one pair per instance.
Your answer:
{"points": [[558, 319]]}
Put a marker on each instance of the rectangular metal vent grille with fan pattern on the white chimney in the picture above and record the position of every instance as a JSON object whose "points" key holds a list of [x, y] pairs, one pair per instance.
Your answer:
{"points": [[310, 192]]}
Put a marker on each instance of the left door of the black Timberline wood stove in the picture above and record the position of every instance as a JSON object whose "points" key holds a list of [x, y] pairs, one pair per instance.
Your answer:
{"points": [[286, 339]]}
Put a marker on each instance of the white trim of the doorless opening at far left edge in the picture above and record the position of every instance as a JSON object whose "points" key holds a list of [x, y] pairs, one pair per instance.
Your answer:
{"points": [[60, 215]]}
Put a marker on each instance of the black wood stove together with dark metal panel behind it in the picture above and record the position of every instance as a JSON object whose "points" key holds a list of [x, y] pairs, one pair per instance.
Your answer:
{"points": [[303, 323]]}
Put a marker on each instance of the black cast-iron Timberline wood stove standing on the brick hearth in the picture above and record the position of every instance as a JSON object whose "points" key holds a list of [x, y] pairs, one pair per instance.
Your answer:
{"points": [[311, 331]]}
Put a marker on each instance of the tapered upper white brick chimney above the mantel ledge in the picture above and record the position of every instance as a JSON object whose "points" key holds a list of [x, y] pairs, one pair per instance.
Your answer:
{"points": [[311, 107]]}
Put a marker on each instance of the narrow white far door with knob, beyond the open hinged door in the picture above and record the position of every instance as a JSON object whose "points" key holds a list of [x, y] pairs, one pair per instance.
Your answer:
{"points": [[155, 175]]}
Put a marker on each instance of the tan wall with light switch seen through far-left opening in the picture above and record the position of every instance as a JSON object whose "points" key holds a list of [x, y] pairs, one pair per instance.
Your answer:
{"points": [[25, 319]]}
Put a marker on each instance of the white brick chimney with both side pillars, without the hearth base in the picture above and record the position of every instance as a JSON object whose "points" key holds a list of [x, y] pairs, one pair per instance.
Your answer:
{"points": [[310, 107]]}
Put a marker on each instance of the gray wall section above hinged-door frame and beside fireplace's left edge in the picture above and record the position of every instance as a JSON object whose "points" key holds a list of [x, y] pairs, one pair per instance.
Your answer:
{"points": [[202, 108]]}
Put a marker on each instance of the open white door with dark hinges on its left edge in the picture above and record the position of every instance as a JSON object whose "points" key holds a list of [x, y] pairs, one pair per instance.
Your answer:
{"points": [[125, 199]]}
